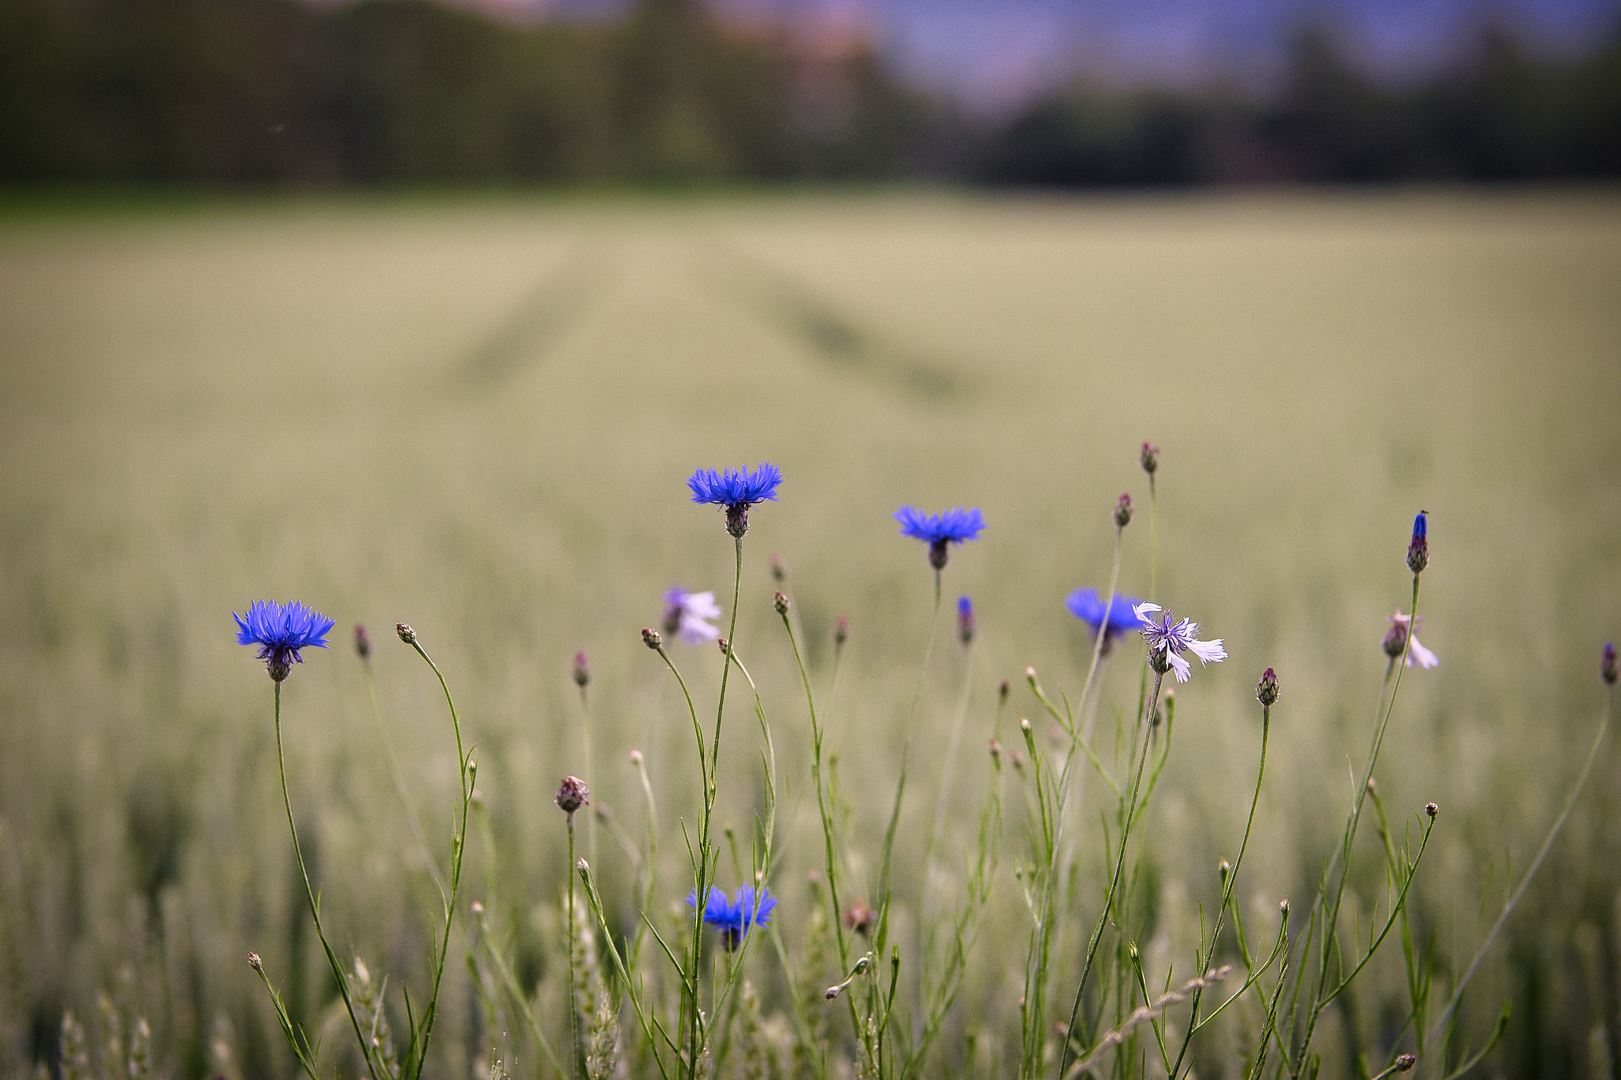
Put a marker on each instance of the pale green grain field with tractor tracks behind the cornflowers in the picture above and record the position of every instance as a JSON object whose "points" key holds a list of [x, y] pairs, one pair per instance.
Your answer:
{"points": [[477, 418]]}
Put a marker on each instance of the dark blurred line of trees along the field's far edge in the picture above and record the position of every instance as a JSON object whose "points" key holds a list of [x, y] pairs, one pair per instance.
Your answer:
{"points": [[280, 93]]}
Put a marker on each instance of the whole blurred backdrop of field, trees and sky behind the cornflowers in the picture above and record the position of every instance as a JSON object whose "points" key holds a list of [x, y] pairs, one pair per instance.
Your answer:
{"points": [[424, 314]]}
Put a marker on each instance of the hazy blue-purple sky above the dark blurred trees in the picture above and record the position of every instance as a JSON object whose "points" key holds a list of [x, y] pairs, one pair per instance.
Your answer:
{"points": [[1001, 53]]}
